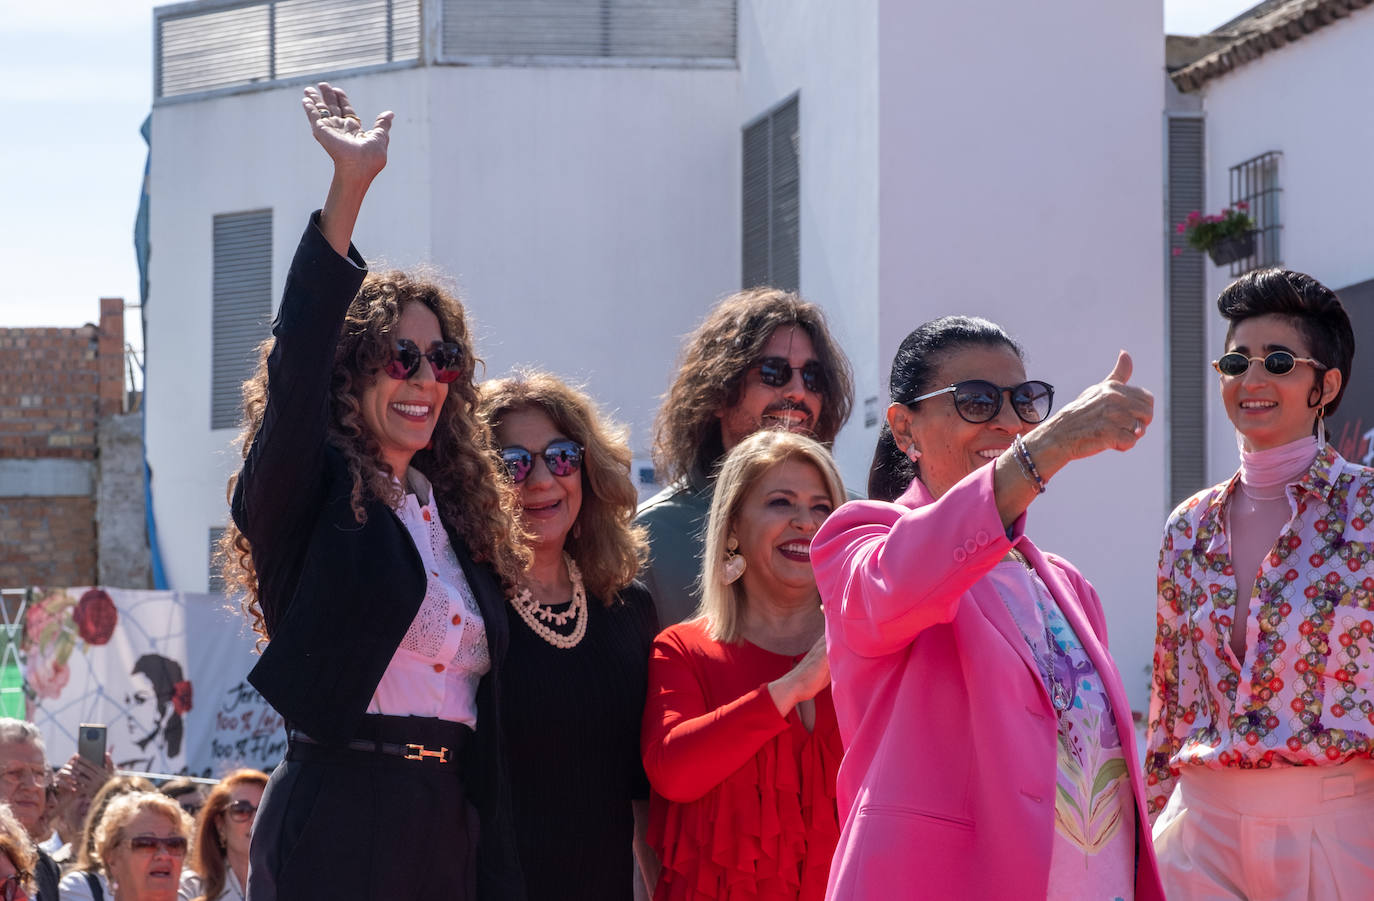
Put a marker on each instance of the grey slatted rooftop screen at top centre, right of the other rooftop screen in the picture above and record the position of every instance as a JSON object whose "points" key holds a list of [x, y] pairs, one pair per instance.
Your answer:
{"points": [[515, 31]]}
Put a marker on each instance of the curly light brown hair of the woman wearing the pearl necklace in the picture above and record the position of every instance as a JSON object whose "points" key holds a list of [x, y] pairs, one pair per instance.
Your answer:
{"points": [[609, 547]]}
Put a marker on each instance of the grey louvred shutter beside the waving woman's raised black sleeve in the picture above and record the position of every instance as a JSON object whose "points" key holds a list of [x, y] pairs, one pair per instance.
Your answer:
{"points": [[241, 308]]}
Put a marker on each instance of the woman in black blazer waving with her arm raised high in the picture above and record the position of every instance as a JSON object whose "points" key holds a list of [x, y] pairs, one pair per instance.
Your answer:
{"points": [[372, 536]]}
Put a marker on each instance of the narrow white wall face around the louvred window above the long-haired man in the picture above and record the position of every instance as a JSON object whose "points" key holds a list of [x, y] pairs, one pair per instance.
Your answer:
{"points": [[828, 53]]}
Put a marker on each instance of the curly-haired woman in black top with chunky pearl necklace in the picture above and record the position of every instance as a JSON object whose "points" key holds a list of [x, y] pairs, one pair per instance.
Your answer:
{"points": [[581, 635]]}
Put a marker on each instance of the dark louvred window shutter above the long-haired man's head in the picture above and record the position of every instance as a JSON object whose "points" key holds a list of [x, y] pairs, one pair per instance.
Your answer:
{"points": [[772, 200]]}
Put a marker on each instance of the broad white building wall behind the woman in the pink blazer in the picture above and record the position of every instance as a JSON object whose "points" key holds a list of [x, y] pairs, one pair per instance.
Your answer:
{"points": [[1020, 164]]}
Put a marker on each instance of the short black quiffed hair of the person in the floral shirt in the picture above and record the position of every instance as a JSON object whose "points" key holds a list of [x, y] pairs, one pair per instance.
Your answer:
{"points": [[1311, 307]]}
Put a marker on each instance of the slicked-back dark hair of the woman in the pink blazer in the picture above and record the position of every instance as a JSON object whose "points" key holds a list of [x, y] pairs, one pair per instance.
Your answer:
{"points": [[913, 369]]}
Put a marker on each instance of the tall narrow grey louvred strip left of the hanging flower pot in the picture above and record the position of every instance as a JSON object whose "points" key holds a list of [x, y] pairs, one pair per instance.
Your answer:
{"points": [[1189, 373]]}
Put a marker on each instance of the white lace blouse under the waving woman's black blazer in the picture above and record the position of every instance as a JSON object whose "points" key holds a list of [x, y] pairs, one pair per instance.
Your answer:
{"points": [[436, 670]]}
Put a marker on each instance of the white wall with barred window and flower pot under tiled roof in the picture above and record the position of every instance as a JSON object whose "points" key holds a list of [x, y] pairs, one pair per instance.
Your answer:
{"points": [[1309, 100]]}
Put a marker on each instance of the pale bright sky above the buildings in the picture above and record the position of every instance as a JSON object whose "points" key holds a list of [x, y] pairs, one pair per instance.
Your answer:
{"points": [[76, 83]]}
